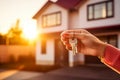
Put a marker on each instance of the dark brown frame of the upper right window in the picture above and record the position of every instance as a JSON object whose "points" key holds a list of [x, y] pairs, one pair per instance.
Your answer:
{"points": [[106, 9]]}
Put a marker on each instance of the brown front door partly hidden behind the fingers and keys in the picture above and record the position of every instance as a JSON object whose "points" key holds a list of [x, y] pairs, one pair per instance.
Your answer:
{"points": [[61, 54]]}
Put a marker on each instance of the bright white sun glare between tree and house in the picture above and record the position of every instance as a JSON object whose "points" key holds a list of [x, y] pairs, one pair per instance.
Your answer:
{"points": [[29, 29]]}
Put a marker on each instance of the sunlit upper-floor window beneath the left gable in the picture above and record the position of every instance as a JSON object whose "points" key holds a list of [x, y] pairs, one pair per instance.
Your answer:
{"points": [[51, 20]]}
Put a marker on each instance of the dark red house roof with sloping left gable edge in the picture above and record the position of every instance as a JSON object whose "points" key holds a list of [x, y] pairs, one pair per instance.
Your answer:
{"points": [[67, 4]]}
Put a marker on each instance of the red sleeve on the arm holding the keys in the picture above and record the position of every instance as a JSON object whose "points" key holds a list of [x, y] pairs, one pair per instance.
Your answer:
{"points": [[112, 58]]}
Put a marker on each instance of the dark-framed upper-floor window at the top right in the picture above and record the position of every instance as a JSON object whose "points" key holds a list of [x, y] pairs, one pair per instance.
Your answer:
{"points": [[100, 10]]}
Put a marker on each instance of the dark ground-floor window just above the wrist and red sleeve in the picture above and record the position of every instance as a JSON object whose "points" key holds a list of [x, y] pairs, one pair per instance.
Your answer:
{"points": [[111, 39]]}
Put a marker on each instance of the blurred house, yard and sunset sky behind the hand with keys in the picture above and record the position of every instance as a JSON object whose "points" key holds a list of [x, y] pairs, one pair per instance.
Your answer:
{"points": [[30, 38]]}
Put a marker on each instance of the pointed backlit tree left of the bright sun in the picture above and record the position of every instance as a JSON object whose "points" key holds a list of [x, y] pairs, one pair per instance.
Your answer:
{"points": [[14, 35]]}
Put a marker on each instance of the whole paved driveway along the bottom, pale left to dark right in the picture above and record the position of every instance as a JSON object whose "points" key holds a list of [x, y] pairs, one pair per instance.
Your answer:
{"points": [[74, 73]]}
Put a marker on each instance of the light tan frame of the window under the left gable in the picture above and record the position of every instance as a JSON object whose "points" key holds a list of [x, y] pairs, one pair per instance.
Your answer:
{"points": [[56, 21]]}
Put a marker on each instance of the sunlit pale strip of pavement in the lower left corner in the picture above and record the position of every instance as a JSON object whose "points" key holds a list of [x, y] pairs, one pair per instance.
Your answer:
{"points": [[17, 75]]}
